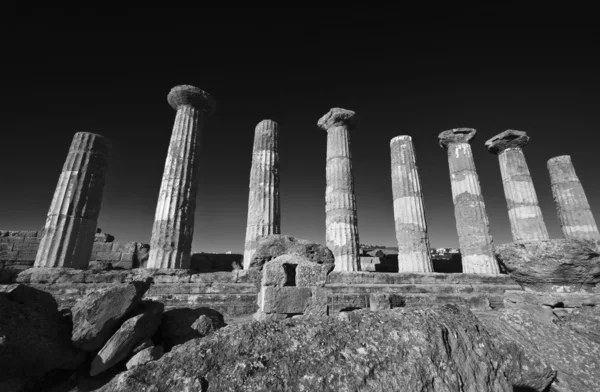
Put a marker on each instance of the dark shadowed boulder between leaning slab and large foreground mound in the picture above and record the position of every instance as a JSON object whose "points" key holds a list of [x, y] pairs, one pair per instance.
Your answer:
{"points": [[180, 325]]}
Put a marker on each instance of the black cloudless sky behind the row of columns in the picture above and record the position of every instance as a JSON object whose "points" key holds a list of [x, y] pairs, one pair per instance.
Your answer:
{"points": [[109, 72]]}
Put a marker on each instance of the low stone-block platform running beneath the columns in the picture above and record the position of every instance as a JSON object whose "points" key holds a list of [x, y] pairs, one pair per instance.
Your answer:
{"points": [[235, 293]]}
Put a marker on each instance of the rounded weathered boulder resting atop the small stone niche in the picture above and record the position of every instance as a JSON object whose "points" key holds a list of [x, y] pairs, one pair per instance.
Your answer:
{"points": [[272, 246]]}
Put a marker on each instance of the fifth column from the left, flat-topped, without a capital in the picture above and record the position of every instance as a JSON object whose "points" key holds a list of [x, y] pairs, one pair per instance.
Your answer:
{"points": [[409, 212]]}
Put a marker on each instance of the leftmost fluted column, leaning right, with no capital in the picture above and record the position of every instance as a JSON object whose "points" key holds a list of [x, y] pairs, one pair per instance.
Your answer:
{"points": [[71, 223]]}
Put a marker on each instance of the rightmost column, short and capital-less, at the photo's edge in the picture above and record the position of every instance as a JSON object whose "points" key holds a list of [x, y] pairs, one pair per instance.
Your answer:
{"points": [[573, 209]]}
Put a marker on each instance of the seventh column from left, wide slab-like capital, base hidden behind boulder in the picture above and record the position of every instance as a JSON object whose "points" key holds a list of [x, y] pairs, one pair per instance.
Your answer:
{"points": [[526, 221]]}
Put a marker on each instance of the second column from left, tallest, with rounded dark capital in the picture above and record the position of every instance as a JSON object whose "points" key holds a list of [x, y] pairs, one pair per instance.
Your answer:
{"points": [[173, 229]]}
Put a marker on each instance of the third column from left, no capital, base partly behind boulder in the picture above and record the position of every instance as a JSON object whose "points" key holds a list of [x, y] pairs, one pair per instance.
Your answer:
{"points": [[263, 200]]}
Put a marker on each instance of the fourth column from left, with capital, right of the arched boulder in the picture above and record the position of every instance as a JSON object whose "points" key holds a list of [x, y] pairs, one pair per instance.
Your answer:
{"points": [[340, 209]]}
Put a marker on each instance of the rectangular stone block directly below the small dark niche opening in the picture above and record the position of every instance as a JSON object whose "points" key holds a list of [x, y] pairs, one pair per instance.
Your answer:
{"points": [[285, 299]]}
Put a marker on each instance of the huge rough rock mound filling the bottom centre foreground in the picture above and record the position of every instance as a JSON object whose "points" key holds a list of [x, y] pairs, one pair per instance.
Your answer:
{"points": [[439, 348]]}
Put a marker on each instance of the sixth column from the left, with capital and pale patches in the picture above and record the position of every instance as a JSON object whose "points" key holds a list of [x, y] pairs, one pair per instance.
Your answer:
{"points": [[472, 224]]}
